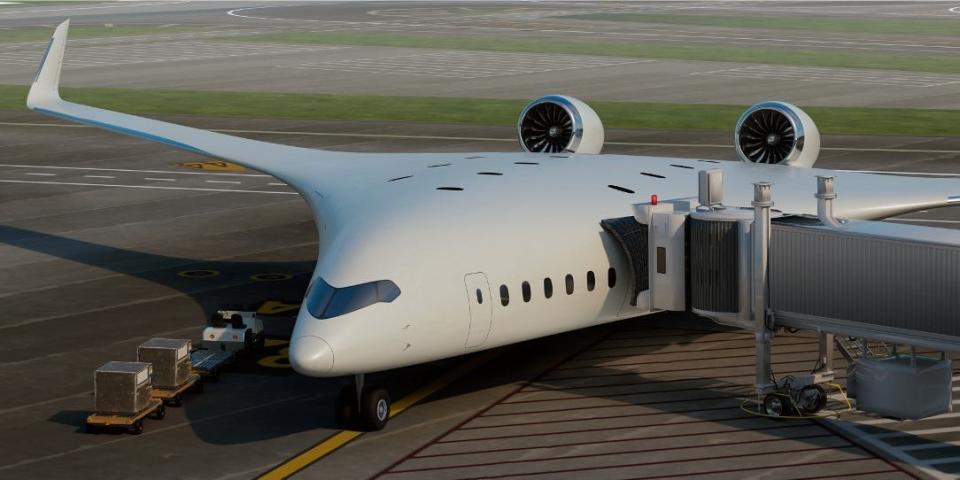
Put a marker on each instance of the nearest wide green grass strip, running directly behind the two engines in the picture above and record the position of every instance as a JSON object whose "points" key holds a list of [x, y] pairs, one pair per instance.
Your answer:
{"points": [[626, 115]]}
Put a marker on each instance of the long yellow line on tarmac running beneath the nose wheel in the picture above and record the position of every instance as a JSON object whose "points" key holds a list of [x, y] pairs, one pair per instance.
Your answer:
{"points": [[328, 446]]}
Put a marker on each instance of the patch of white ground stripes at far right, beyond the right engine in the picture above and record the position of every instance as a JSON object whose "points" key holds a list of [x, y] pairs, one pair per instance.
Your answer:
{"points": [[854, 76]]}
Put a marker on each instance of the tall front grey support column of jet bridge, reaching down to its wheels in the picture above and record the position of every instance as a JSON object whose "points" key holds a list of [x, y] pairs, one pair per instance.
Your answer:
{"points": [[761, 244]]}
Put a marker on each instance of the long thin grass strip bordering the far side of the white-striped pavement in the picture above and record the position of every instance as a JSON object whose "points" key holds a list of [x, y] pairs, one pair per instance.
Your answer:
{"points": [[631, 48]]}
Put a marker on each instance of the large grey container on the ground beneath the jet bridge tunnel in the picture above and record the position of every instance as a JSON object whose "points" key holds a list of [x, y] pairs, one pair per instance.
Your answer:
{"points": [[903, 386]]}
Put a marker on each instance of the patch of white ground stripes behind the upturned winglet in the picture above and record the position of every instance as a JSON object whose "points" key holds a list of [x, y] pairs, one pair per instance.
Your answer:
{"points": [[135, 53]]}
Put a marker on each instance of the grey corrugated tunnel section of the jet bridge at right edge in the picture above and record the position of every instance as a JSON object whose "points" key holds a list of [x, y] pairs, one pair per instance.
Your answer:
{"points": [[878, 279]]}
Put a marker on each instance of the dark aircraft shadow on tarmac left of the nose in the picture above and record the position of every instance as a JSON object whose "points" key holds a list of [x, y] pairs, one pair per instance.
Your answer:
{"points": [[269, 402]]}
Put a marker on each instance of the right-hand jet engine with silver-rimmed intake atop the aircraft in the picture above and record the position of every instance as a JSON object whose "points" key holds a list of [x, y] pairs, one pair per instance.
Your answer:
{"points": [[777, 133]]}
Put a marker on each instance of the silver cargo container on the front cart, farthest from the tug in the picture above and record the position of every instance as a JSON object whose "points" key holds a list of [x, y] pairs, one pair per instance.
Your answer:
{"points": [[122, 388]]}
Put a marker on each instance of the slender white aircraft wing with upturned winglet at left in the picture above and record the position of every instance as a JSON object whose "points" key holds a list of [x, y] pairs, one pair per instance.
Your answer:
{"points": [[282, 161]]}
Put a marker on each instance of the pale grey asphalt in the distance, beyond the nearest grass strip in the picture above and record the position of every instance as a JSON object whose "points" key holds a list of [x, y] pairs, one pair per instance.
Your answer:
{"points": [[197, 61]]}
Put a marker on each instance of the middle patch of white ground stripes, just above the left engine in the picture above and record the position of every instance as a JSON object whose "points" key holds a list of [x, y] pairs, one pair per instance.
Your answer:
{"points": [[466, 64]]}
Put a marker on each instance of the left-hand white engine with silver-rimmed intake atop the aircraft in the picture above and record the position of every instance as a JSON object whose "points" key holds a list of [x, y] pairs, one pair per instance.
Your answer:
{"points": [[557, 123]]}
